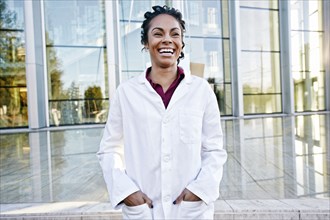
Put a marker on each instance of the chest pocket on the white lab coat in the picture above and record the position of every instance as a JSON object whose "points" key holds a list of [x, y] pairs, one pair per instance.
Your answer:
{"points": [[191, 126]]}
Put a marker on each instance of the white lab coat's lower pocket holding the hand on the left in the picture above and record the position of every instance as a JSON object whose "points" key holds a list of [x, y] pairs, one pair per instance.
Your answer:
{"points": [[137, 212]]}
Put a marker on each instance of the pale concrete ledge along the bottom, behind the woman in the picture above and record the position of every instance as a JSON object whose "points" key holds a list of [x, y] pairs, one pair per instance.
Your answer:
{"points": [[300, 209]]}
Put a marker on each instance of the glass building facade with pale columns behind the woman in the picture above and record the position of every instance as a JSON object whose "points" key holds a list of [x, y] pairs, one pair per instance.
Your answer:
{"points": [[61, 61]]}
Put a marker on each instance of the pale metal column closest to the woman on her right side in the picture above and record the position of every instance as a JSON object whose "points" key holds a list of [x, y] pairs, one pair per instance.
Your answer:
{"points": [[235, 48]]}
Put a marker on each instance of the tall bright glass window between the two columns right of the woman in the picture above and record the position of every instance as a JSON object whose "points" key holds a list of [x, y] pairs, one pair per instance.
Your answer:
{"points": [[260, 57]]}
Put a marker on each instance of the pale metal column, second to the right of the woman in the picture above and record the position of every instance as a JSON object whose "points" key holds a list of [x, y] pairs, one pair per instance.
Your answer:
{"points": [[285, 58]]}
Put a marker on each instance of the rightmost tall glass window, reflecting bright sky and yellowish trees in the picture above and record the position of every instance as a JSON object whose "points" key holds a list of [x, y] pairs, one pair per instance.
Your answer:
{"points": [[307, 55]]}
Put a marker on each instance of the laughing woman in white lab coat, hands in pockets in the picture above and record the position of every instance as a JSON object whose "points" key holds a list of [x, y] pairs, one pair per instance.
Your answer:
{"points": [[161, 151]]}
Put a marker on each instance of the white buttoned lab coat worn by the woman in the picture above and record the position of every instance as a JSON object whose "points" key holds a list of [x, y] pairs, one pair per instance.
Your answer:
{"points": [[163, 151]]}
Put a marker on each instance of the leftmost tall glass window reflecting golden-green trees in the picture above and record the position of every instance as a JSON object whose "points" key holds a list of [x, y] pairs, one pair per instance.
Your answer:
{"points": [[13, 98]]}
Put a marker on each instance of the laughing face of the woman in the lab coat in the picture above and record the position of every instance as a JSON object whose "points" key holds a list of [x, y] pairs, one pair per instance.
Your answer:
{"points": [[164, 41]]}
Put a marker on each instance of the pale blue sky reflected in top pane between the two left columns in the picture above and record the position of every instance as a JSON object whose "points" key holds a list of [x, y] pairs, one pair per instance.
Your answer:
{"points": [[75, 23]]}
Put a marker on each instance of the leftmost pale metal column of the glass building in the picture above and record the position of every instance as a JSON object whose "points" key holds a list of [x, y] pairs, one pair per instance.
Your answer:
{"points": [[35, 75]]}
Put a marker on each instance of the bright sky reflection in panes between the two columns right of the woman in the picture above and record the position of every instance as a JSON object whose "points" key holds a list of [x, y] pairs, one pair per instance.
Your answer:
{"points": [[259, 38]]}
